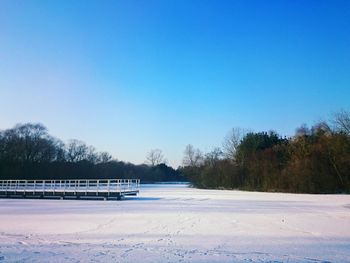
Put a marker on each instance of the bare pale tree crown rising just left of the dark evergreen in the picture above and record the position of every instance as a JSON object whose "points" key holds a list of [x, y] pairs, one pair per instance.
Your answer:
{"points": [[232, 141]]}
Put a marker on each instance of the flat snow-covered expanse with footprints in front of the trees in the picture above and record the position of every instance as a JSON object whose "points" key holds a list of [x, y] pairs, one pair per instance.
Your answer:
{"points": [[174, 223]]}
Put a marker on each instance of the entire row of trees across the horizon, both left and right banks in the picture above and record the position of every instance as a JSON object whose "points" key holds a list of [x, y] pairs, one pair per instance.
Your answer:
{"points": [[314, 160]]}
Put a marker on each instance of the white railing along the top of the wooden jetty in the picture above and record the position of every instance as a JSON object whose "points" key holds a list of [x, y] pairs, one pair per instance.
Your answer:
{"points": [[76, 186]]}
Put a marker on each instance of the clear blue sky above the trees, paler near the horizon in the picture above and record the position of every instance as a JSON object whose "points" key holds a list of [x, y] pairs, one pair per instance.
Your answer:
{"points": [[130, 76]]}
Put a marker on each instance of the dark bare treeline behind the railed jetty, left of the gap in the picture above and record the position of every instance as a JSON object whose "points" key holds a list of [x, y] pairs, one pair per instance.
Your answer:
{"points": [[28, 151]]}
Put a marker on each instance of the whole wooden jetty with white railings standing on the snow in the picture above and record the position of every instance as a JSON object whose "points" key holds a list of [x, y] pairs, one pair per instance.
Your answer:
{"points": [[107, 189]]}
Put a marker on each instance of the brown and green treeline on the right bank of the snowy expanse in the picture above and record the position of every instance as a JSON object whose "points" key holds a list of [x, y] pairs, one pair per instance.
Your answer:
{"points": [[314, 160]]}
